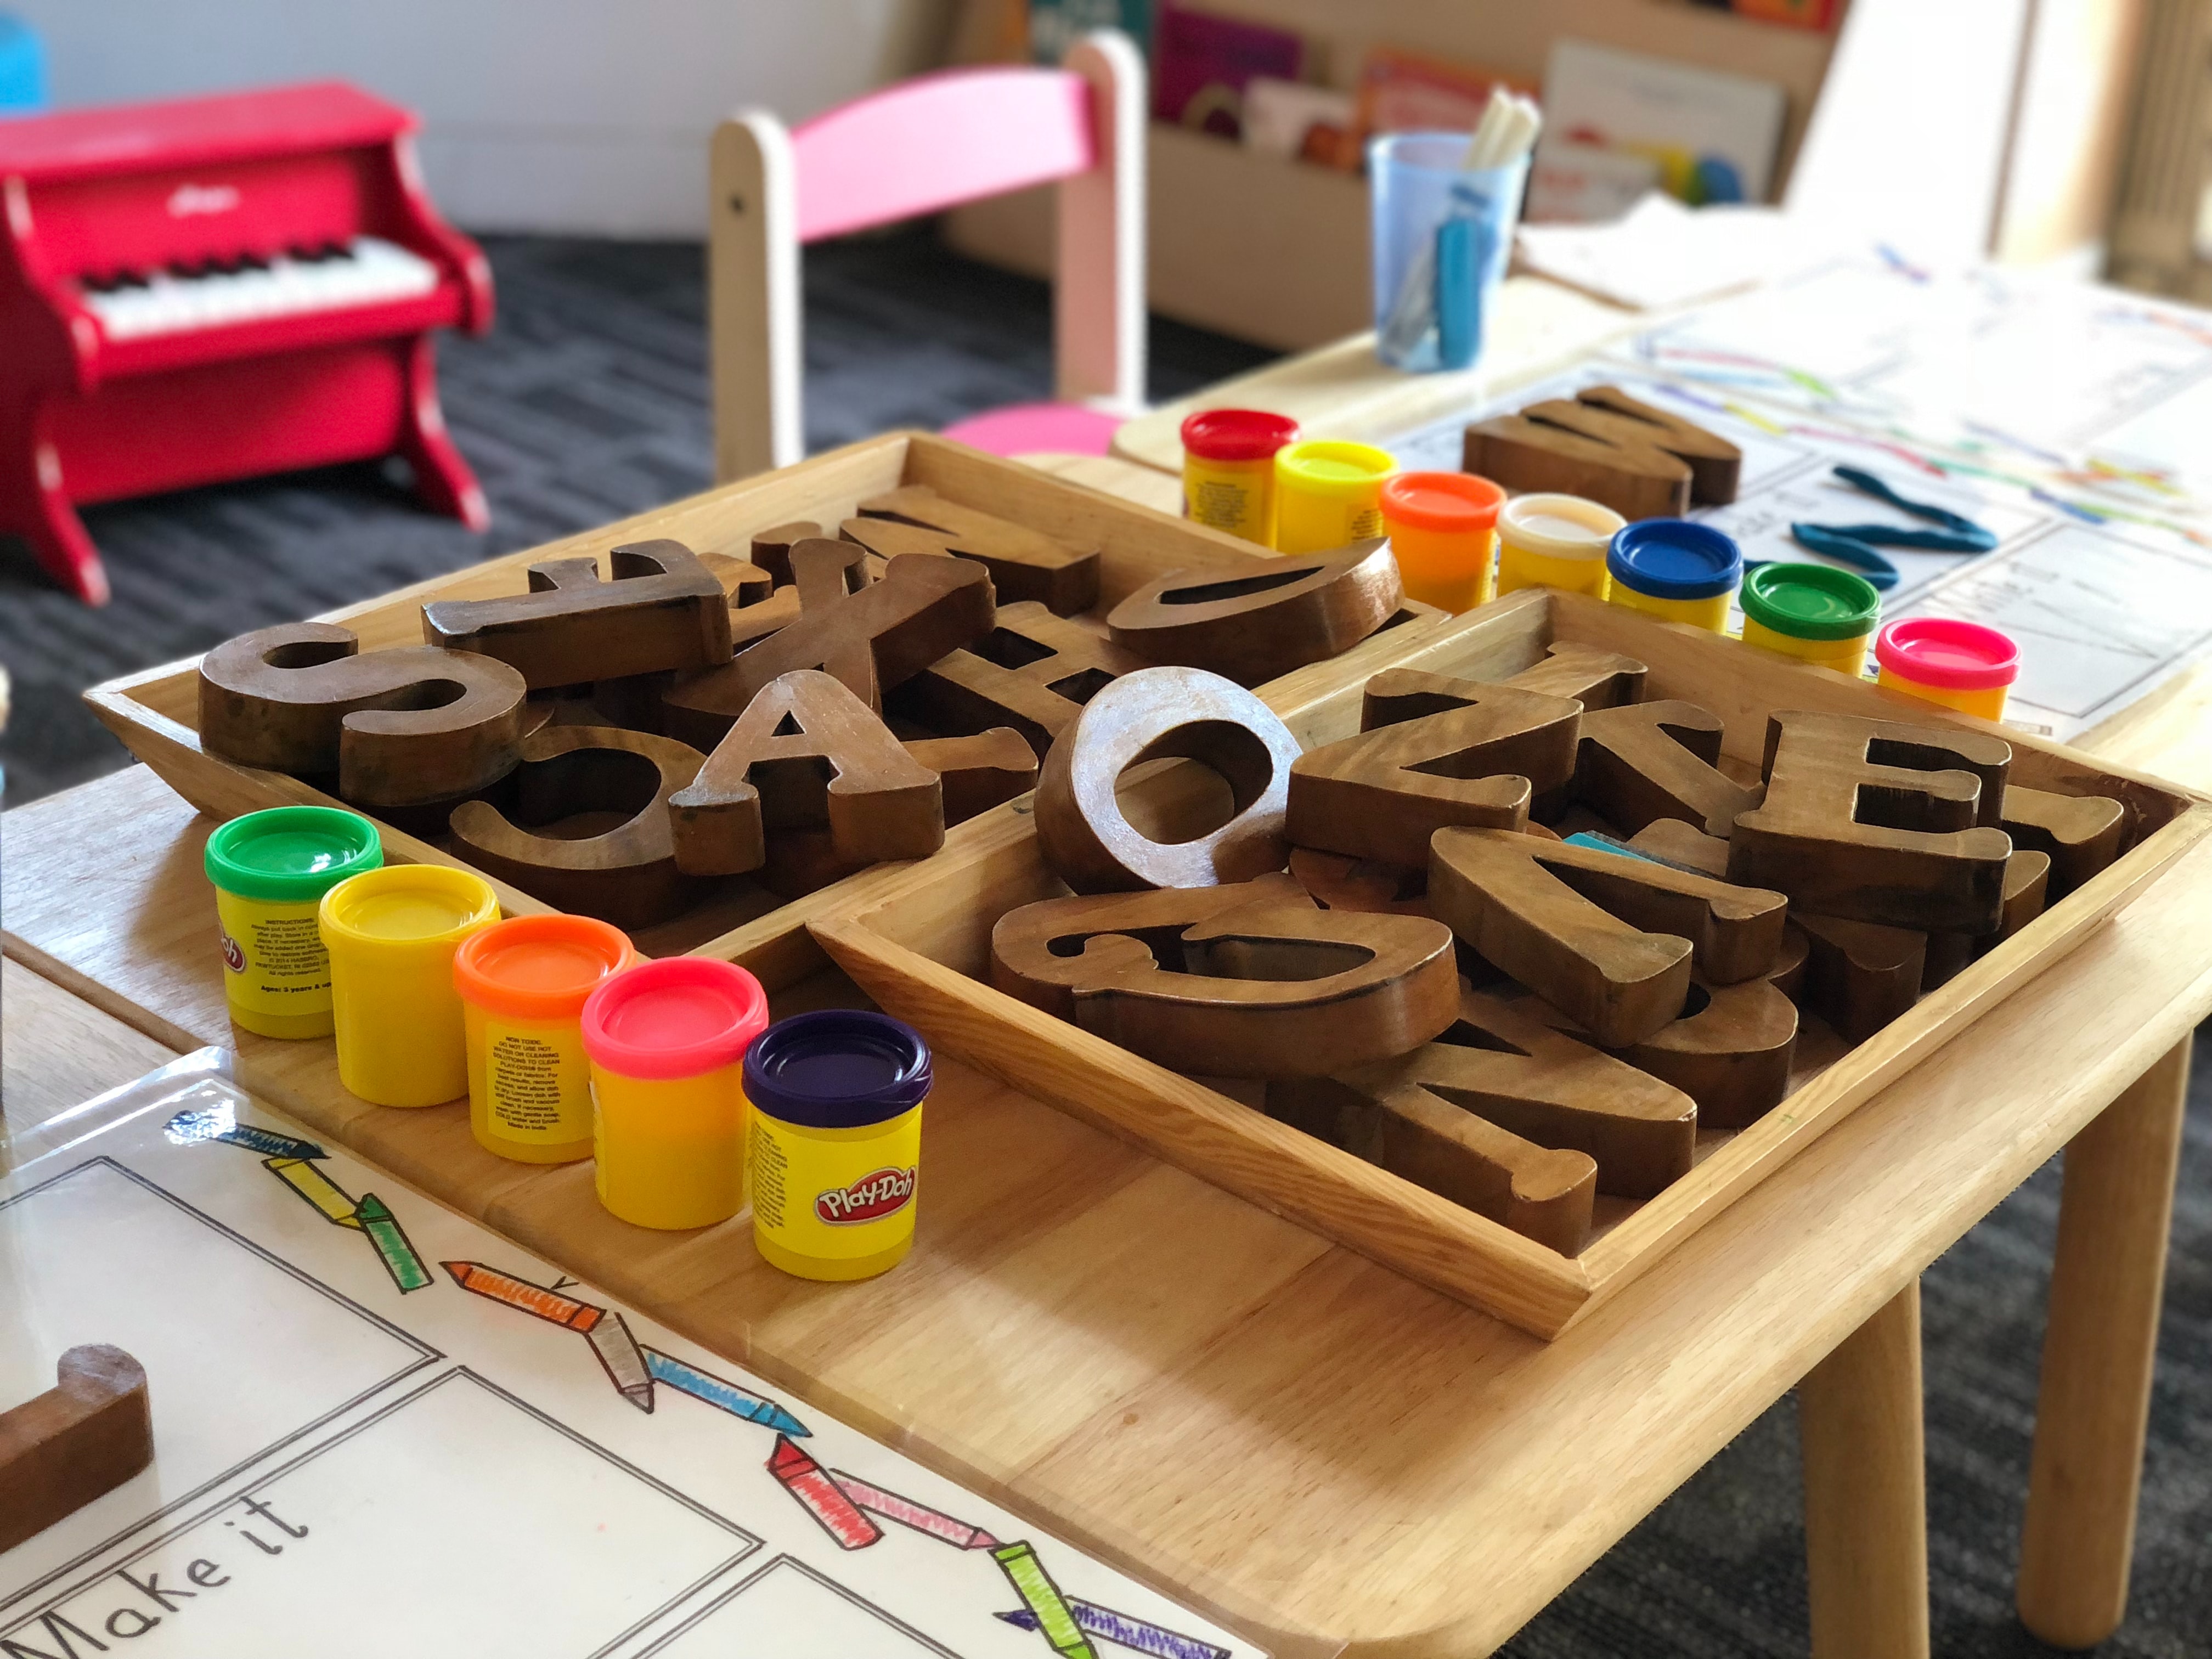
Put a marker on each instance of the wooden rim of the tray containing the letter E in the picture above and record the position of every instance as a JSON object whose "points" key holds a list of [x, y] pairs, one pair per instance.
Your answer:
{"points": [[1390, 1220]]}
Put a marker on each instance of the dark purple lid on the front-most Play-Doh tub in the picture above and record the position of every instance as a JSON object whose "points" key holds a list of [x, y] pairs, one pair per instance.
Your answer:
{"points": [[837, 1070]]}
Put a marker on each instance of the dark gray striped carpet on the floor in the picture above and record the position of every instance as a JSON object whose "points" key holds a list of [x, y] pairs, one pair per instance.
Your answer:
{"points": [[589, 401]]}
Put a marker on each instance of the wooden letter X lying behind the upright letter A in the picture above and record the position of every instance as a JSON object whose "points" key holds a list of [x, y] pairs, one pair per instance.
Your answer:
{"points": [[879, 636]]}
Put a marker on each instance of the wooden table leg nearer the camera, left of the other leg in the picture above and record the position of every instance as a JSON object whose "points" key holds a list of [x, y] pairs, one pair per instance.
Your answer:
{"points": [[1866, 1492]]}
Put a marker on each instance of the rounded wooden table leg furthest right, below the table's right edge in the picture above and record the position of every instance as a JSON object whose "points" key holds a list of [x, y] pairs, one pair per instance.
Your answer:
{"points": [[2098, 1350]]}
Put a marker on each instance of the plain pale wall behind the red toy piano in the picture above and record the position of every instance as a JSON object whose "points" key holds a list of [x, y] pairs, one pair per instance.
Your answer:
{"points": [[583, 116]]}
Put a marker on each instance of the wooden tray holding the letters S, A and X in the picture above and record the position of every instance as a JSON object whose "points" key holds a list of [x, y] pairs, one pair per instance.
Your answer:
{"points": [[156, 711]]}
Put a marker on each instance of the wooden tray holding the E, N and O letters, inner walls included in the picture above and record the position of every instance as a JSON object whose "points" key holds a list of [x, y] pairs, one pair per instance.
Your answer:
{"points": [[921, 948]]}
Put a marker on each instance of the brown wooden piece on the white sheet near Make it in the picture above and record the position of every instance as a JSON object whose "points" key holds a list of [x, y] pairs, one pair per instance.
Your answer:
{"points": [[76, 1441]]}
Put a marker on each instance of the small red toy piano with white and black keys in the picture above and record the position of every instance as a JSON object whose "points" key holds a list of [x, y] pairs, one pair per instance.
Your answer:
{"points": [[220, 289]]}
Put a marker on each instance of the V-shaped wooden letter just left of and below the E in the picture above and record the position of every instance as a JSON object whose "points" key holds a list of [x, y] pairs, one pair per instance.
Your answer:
{"points": [[1603, 937]]}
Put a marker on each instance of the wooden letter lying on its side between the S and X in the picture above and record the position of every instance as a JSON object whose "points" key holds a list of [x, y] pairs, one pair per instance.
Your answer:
{"points": [[662, 609]]}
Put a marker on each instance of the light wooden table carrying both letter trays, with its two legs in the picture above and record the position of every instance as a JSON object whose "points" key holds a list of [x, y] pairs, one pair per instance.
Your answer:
{"points": [[1277, 1430]]}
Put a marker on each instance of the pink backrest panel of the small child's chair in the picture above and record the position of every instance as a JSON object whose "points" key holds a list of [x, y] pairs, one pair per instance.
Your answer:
{"points": [[937, 143]]}
